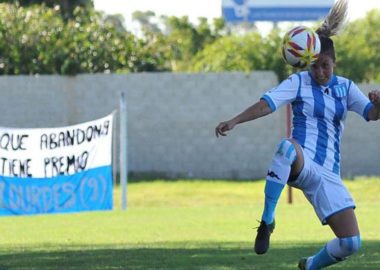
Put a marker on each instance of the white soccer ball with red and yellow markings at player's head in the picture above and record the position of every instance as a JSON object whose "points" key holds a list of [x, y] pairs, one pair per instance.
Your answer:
{"points": [[301, 47]]}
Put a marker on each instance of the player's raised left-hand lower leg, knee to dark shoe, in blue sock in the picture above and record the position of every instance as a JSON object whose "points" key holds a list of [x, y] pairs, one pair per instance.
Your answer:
{"points": [[277, 177]]}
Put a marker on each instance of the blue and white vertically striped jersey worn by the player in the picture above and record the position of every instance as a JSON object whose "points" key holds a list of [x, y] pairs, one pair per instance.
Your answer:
{"points": [[319, 113]]}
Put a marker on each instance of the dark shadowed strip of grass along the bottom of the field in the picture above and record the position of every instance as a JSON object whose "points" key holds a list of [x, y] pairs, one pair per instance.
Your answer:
{"points": [[176, 256]]}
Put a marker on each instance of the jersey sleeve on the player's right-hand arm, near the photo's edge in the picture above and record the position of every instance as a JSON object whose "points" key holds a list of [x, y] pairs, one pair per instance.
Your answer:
{"points": [[358, 102]]}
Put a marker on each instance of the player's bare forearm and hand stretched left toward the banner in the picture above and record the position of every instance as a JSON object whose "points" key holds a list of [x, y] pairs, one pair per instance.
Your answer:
{"points": [[253, 112]]}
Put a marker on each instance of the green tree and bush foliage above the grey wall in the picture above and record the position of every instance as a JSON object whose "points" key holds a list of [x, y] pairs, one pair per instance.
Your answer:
{"points": [[37, 39]]}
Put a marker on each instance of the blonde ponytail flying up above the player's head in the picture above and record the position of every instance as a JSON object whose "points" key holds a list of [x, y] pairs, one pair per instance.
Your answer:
{"points": [[335, 20]]}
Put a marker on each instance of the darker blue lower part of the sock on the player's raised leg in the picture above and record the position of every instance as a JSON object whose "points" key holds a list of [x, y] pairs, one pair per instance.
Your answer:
{"points": [[272, 194]]}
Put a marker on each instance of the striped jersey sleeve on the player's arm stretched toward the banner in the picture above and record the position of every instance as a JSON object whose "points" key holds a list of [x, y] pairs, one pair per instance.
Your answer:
{"points": [[284, 93]]}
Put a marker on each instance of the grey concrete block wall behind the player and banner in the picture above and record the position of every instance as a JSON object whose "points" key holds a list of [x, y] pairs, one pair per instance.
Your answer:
{"points": [[172, 119]]}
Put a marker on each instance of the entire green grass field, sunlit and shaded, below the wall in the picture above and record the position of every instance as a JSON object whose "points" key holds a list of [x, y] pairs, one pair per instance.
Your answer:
{"points": [[184, 225]]}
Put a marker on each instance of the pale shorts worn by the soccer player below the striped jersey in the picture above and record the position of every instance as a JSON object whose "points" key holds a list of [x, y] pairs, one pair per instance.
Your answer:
{"points": [[323, 189]]}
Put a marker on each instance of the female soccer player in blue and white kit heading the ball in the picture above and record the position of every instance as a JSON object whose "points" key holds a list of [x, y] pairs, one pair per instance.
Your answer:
{"points": [[310, 159]]}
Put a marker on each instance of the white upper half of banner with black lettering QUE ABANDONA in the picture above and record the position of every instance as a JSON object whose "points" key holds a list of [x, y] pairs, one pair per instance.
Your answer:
{"points": [[50, 152]]}
